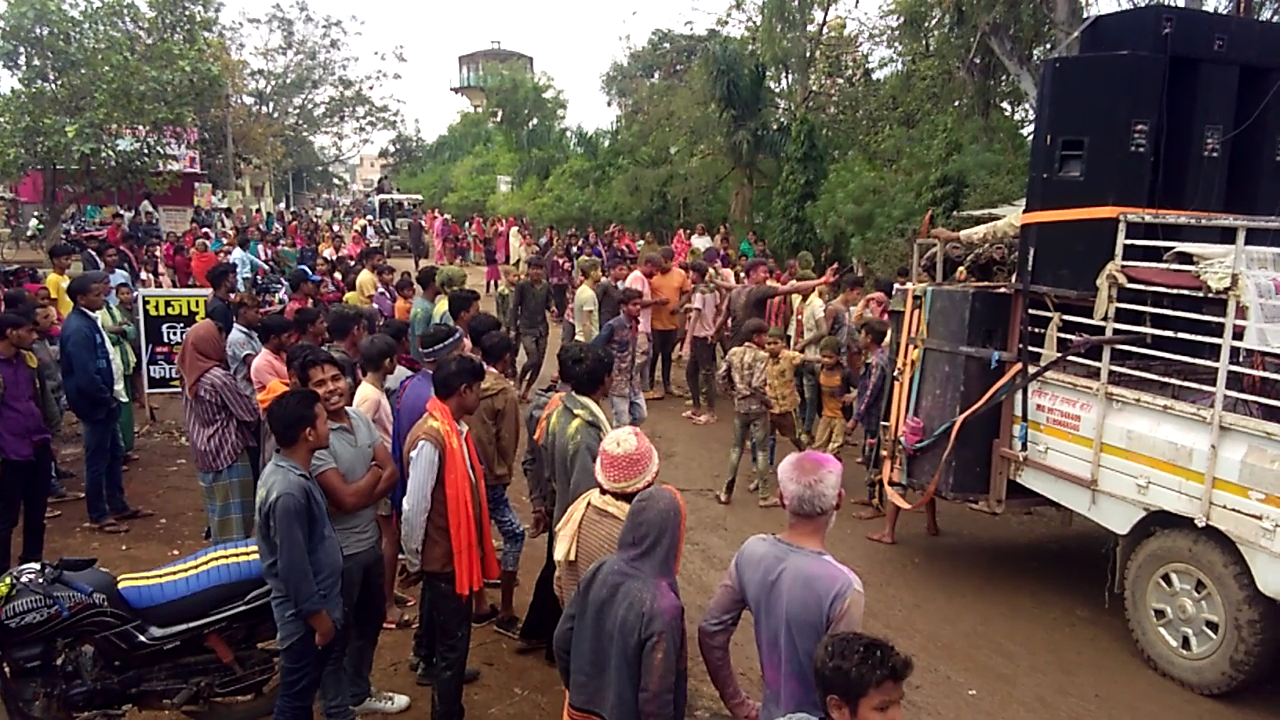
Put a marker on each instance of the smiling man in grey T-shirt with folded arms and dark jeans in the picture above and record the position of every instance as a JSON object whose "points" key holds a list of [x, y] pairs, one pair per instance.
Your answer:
{"points": [[355, 472]]}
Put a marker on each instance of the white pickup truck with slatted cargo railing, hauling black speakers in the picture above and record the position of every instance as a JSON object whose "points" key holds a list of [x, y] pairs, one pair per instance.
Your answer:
{"points": [[1172, 444]]}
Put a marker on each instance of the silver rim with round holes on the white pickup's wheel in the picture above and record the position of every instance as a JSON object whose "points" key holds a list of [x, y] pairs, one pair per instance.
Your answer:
{"points": [[1186, 610]]}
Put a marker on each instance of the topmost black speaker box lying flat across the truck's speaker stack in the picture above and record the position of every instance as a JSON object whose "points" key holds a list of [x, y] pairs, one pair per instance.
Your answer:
{"points": [[1183, 33]]}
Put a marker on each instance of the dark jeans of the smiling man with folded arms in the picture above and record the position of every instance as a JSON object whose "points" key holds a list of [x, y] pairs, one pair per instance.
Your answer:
{"points": [[345, 682]]}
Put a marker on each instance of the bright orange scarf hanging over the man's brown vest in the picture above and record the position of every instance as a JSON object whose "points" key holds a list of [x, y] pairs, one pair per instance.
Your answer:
{"points": [[474, 557]]}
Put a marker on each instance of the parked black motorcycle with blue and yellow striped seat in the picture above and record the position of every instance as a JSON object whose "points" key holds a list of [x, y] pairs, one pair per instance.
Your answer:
{"points": [[195, 637]]}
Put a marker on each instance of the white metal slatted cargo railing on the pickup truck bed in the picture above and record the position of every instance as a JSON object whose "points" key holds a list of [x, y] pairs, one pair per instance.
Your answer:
{"points": [[1213, 352]]}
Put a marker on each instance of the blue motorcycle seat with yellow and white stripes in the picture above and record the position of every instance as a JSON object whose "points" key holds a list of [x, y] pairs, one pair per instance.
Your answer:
{"points": [[196, 586]]}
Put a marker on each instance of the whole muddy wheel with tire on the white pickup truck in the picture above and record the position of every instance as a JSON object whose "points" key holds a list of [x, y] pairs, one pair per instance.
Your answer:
{"points": [[1196, 613]]}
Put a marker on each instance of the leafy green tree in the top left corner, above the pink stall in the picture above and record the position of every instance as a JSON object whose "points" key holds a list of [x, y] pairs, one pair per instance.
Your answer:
{"points": [[102, 92]]}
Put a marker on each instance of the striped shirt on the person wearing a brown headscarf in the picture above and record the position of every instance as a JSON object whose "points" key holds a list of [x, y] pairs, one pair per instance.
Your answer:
{"points": [[221, 421]]}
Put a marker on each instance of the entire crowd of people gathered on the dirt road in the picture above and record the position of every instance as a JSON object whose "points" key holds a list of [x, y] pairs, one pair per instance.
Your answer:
{"points": [[368, 440]]}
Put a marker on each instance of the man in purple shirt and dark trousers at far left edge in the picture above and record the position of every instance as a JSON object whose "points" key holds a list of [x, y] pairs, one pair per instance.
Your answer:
{"points": [[26, 455]]}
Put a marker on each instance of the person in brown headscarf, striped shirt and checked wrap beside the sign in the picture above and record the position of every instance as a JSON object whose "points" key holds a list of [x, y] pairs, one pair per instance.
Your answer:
{"points": [[221, 422]]}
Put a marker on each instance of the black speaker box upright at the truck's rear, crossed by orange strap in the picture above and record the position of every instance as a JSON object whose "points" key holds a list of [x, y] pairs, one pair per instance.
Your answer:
{"points": [[964, 325]]}
